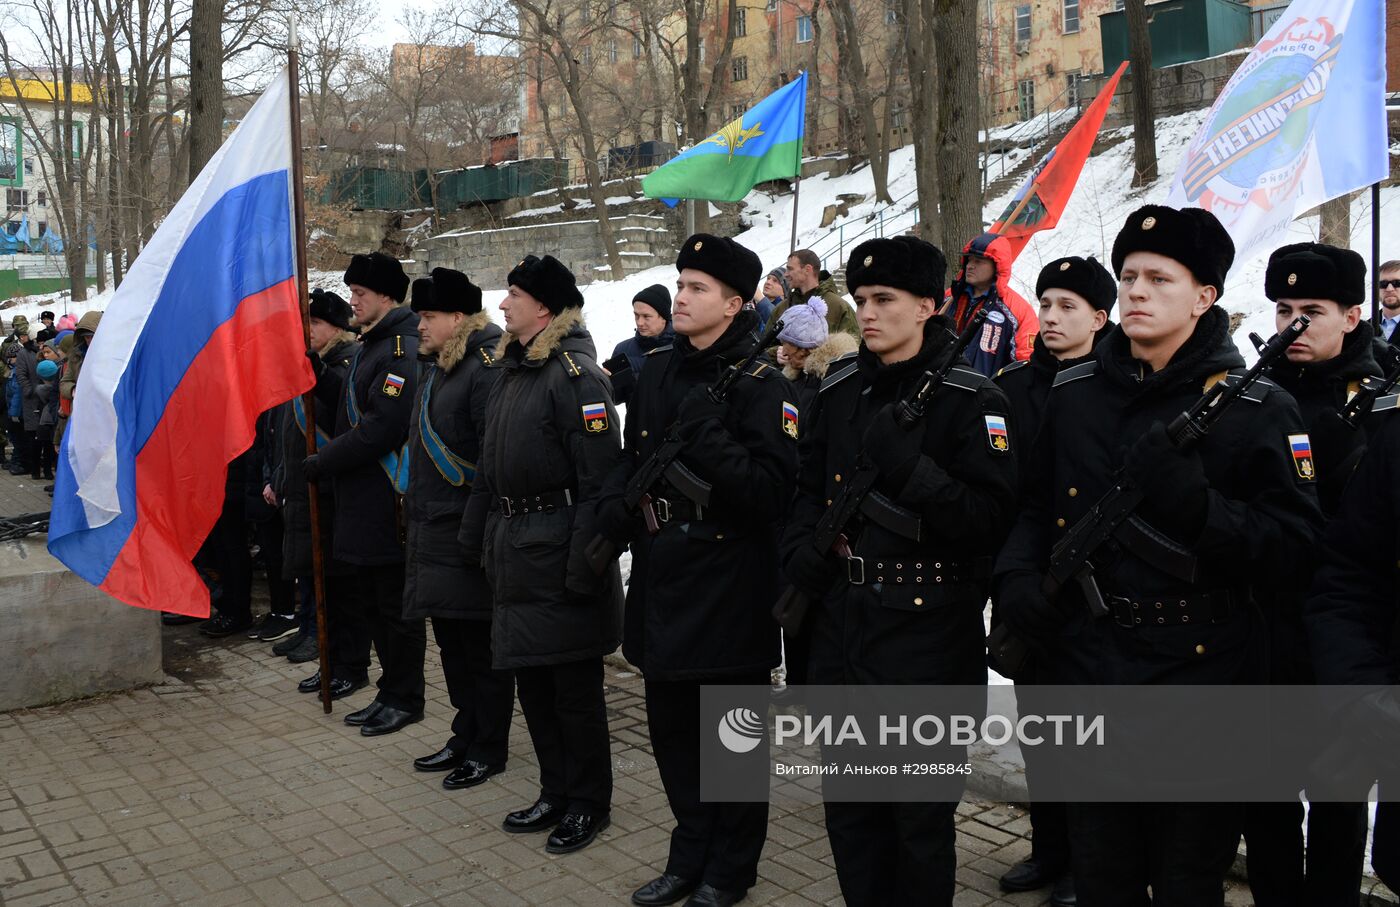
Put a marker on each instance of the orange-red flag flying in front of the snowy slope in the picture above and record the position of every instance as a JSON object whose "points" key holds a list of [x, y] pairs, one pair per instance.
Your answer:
{"points": [[1042, 198]]}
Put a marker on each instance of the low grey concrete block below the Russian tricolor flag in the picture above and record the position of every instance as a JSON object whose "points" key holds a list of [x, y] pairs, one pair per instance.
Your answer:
{"points": [[61, 639]]}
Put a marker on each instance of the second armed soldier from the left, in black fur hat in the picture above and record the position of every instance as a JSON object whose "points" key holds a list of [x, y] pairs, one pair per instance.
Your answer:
{"points": [[902, 611]]}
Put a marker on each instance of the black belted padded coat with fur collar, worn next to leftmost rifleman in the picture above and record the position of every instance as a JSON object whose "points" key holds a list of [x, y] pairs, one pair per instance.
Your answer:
{"points": [[551, 432]]}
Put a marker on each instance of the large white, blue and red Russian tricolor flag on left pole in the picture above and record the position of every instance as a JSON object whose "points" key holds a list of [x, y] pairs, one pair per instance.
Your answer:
{"points": [[202, 337]]}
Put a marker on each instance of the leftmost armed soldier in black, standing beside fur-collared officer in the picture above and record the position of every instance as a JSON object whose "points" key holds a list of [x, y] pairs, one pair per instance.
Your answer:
{"points": [[703, 589]]}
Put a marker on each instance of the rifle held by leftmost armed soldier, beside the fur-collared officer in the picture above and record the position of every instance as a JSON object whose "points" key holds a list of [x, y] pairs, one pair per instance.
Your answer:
{"points": [[664, 464]]}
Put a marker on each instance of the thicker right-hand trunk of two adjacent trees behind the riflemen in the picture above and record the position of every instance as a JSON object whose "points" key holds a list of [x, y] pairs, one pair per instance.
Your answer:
{"points": [[960, 197]]}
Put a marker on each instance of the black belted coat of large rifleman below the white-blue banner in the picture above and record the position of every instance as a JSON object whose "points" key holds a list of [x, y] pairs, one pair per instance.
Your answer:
{"points": [[1261, 517]]}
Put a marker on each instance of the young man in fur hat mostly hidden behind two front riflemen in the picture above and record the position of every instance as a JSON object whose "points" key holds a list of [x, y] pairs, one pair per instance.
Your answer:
{"points": [[1076, 299]]}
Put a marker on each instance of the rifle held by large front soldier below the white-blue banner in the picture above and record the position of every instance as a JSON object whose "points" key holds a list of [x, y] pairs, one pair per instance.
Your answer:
{"points": [[1114, 519]]}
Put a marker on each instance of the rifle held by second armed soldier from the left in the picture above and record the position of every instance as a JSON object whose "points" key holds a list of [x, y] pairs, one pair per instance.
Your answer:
{"points": [[859, 496]]}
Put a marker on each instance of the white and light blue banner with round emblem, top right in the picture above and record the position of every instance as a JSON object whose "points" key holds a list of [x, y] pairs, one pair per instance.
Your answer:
{"points": [[1301, 121]]}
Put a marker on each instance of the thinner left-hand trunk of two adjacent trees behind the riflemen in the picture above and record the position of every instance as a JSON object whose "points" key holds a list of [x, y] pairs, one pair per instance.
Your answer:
{"points": [[922, 54]]}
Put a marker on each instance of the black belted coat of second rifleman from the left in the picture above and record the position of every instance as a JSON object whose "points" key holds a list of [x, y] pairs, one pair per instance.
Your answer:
{"points": [[918, 618]]}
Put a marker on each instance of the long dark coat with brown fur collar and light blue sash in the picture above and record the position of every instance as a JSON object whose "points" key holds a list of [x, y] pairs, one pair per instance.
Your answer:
{"points": [[444, 446]]}
